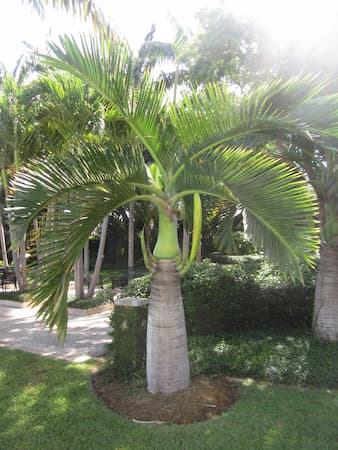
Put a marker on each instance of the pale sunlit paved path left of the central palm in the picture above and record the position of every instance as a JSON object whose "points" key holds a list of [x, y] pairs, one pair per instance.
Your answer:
{"points": [[87, 335]]}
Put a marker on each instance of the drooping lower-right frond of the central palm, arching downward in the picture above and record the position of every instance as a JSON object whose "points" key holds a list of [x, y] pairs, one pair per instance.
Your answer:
{"points": [[279, 204]]}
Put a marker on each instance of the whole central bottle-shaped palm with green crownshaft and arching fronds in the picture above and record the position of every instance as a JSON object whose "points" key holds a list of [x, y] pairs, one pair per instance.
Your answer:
{"points": [[198, 146]]}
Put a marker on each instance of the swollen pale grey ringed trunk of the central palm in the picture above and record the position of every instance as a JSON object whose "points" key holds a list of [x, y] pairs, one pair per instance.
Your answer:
{"points": [[167, 350]]}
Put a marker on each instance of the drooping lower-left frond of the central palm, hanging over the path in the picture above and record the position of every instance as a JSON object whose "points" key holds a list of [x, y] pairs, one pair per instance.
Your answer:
{"points": [[82, 190]]}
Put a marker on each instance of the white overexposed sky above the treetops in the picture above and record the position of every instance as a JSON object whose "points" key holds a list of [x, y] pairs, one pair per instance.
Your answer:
{"points": [[307, 23]]}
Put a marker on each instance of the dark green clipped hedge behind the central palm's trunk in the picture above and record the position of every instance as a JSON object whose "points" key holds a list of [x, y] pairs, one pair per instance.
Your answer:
{"points": [[219, 299]]}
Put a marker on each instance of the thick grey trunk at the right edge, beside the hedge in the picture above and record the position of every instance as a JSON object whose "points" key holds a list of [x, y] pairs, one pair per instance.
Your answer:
{"points": [[325, 319]]}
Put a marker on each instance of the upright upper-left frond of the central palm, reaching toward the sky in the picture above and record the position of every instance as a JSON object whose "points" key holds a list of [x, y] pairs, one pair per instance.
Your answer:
{"points": [[107, 65]]}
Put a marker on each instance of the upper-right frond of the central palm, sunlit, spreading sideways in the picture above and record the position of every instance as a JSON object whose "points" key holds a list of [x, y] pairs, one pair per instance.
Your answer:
{"points": [[213, 116]]}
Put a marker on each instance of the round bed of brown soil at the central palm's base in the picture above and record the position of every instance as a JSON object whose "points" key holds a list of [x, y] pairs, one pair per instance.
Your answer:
{"points": [[206, 397]]}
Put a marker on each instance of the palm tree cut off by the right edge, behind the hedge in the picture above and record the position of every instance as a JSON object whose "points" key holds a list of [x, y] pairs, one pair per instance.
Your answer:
{"points": [[318, 160]]}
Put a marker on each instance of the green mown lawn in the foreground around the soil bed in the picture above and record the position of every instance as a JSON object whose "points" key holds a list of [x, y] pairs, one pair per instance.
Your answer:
{"points": [[49, 404]]}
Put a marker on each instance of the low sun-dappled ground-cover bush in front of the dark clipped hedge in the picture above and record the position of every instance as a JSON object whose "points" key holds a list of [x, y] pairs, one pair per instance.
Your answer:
{"points": [[287, 359]]}
